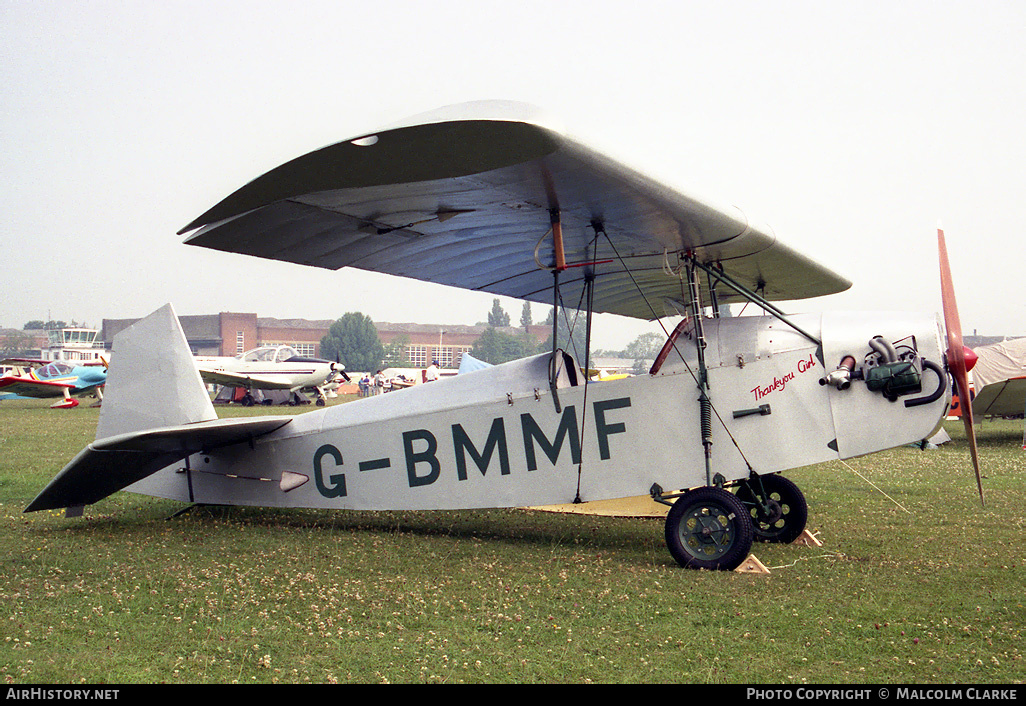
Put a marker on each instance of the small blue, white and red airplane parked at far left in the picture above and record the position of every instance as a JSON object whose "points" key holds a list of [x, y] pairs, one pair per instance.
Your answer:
{"points": [[47, 379]]}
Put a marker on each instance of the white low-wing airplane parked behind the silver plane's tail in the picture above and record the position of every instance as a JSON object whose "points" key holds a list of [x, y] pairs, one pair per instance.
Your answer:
{"points": [[273, 368]]}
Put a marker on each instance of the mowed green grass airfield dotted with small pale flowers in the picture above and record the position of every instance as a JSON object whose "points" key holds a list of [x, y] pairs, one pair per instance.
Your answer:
{"points": [[915, 583]]}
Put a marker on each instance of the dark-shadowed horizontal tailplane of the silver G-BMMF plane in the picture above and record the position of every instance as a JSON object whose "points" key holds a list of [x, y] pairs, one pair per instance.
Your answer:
{"points": [[109, 465]]}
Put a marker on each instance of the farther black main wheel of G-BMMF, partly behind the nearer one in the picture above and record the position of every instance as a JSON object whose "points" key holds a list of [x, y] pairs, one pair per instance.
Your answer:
{"points": [[777, 507]]}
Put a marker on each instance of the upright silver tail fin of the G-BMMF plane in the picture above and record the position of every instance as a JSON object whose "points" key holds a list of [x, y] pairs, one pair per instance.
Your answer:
{"points": [[153, 380]]}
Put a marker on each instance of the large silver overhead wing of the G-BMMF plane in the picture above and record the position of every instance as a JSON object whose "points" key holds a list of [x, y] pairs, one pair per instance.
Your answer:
{"points": [[466, 197]]}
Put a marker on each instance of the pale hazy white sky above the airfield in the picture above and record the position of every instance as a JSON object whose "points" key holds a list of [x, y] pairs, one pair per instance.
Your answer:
{"points": [[853, 130]]}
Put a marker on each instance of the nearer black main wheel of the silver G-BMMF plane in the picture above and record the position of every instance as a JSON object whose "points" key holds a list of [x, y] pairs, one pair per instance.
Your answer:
{"points": [[708, 528]]}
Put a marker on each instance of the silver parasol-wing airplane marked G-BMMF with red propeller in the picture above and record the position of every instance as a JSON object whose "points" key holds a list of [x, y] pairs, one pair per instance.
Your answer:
{"points": [[494, 198]]}
